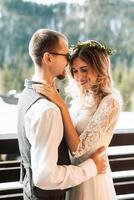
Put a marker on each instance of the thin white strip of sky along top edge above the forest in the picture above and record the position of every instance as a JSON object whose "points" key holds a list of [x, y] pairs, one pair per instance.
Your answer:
{"points": [[48, 2]]}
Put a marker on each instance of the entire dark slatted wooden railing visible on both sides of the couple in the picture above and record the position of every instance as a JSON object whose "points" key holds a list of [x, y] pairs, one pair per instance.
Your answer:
{"points": [[121, 156]]}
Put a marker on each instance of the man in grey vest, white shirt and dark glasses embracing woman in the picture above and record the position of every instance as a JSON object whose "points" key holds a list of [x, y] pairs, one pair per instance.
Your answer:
{"points": [[46, 170]]}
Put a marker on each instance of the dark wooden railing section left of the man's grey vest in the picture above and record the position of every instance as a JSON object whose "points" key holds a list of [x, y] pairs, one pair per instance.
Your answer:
{"points": [[10, 187]]}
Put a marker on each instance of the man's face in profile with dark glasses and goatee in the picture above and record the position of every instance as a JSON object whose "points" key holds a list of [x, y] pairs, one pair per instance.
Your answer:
{"points": [[60, 59]]}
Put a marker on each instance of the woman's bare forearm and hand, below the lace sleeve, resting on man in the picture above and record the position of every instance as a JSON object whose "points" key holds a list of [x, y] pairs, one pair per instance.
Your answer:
{"points": [[71, 135]]}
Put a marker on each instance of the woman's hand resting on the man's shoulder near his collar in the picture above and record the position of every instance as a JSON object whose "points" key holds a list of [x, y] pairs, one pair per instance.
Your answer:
{"points": [[50, 92]]}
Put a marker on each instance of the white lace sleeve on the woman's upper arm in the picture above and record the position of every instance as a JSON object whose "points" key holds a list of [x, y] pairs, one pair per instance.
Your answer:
{"points": [[99, 130]]}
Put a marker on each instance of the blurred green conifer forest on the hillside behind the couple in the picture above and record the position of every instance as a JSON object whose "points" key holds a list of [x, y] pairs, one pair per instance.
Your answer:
{"points": [[108, 21]]}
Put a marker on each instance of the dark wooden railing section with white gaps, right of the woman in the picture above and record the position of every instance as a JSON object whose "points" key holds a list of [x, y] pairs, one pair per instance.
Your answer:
{"points": [[121, 156]]}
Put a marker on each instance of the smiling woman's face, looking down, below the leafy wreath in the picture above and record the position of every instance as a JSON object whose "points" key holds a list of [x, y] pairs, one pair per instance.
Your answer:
{"points": [[83, 73]]}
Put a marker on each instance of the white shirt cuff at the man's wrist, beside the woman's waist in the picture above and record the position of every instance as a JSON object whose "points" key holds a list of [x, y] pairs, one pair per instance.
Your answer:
{"points": [[89, 167]]}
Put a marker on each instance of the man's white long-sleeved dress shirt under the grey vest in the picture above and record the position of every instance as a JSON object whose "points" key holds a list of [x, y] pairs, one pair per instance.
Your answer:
{"points": [[44, 130]]}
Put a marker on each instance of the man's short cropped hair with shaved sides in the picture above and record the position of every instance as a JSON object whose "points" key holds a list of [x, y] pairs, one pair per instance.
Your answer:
{"points": [[44, 40]]}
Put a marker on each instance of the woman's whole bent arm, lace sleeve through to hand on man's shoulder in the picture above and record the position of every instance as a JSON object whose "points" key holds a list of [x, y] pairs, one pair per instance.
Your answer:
{"points": [[97, 130]]}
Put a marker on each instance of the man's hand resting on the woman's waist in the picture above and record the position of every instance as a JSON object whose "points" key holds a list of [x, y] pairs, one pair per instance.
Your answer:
{"points": [[99, 157]]}
